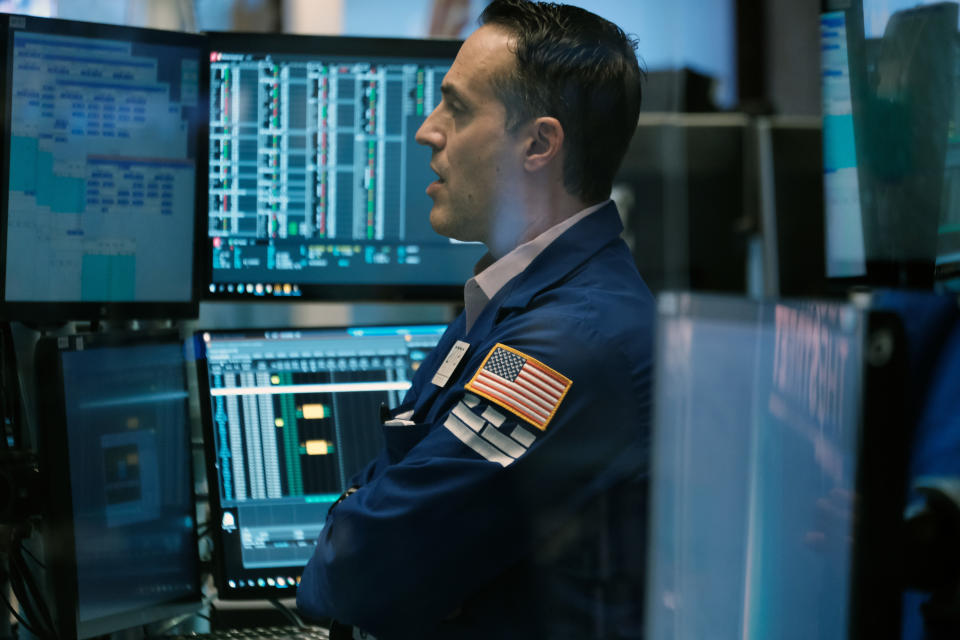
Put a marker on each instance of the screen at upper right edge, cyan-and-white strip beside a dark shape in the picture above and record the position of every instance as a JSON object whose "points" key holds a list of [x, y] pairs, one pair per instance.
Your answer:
{"points": [[890, 142]]}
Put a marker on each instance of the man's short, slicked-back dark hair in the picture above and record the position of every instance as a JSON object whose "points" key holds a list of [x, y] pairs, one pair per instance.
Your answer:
{"points": [[580, 69]]}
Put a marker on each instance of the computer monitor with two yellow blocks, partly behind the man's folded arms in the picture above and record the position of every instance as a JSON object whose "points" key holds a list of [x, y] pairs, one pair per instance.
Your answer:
{"points": [[289, 416]]}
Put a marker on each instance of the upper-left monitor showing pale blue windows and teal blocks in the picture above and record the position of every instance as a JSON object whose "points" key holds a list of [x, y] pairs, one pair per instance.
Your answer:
{"points": [[102, 167]]}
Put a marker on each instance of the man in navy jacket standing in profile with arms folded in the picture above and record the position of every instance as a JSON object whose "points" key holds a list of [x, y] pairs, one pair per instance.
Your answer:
{"points": [[509, 498]]}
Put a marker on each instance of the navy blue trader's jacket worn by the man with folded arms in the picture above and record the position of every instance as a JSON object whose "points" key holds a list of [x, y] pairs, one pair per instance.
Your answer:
{"points": [[458, 532]]}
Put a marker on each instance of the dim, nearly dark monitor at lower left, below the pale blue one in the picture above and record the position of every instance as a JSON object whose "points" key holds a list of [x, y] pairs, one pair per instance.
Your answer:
{"points": [[120, 532]]}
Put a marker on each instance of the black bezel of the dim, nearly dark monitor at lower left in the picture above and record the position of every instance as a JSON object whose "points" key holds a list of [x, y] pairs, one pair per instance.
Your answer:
{"points": [[54, 455]]}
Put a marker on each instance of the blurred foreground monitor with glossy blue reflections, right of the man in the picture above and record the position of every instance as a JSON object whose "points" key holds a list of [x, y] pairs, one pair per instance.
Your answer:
{"points": [[779, 470]]}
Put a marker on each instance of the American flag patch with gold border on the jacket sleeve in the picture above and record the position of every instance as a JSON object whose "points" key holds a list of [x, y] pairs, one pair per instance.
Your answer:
{"points": [[517, 382]]}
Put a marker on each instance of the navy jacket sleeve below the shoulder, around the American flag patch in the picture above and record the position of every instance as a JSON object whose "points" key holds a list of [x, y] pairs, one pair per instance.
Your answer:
{"points": [[475, 495]]}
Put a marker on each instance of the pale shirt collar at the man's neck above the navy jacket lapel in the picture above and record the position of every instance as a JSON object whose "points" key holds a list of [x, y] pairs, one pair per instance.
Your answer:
{"points": [[483, 286]]}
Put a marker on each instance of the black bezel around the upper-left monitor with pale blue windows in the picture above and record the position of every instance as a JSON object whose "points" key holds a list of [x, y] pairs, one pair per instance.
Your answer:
{"points": [[52, 312]]}
